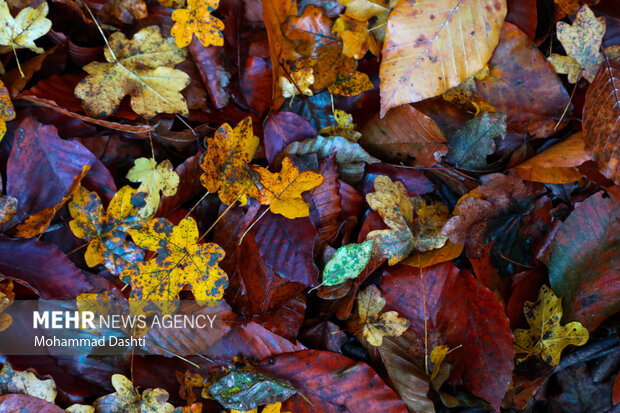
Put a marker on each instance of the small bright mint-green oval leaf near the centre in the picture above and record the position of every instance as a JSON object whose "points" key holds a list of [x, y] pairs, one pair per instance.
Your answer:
{"points": [[347, 263]]}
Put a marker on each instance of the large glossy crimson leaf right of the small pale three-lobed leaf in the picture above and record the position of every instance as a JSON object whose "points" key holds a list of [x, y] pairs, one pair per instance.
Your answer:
{"points": [[460, 311]]}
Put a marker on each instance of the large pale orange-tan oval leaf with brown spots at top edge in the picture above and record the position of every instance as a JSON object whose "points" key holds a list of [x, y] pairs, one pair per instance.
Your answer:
{"points": [[431, 46]]}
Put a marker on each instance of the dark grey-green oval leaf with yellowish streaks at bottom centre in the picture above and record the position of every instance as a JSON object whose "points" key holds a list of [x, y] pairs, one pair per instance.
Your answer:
{"points": [[244, 390]]}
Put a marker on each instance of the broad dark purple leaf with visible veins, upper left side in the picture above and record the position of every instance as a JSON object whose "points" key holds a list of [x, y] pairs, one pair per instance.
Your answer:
{"points": [[42, 167]]}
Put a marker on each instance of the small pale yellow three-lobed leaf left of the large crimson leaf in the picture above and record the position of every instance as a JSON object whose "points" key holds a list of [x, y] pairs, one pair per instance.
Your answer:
{"points": [[376, 326]]}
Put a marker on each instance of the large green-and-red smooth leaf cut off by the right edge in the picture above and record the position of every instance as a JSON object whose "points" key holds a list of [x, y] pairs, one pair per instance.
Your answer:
{"points": [[584, 260]]}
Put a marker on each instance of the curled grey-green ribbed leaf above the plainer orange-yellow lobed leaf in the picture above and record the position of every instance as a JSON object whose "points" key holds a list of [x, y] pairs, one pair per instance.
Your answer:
{"points": [[350, 157]]}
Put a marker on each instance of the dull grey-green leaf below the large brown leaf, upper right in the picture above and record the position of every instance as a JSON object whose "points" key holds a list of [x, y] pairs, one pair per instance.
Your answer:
{"points": [[470, 146]]}
